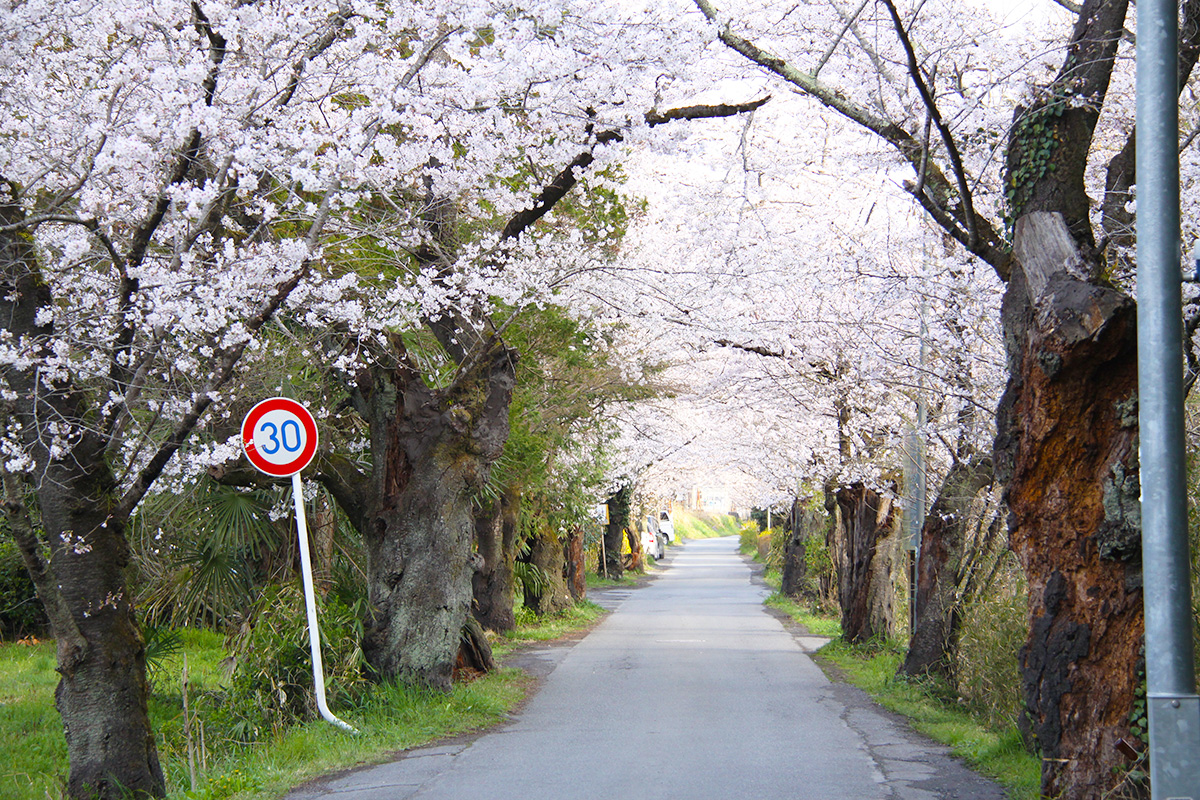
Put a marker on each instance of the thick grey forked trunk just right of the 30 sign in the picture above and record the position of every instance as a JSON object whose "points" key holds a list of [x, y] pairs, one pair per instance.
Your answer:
{"points": [[433, 449]]}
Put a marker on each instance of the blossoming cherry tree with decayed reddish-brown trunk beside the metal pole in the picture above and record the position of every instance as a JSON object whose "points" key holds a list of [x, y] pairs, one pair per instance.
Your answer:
{"points": [[987, 164]]}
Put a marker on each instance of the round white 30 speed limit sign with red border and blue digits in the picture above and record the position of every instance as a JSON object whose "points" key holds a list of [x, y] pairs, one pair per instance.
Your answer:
{"points": [[280, 437]]}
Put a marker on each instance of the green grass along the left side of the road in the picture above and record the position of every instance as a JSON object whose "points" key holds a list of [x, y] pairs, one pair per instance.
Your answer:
{"points": [[389, 718]]}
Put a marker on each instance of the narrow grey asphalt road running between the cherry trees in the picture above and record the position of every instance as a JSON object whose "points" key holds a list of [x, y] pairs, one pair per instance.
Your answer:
{"points": [[691, 691]]}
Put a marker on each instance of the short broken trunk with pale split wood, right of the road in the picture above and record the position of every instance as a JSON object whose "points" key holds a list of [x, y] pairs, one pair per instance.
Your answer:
{"points": [[866, 592]]}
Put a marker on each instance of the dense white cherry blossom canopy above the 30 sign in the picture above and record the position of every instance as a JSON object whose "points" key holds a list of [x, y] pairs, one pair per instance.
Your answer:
{"points": [[179, 163]]}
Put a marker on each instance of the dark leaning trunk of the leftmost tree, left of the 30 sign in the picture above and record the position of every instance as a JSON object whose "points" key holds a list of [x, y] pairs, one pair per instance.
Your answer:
{"points": [[103, 695]]}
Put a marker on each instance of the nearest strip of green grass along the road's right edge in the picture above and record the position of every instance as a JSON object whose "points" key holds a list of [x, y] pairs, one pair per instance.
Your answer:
{"points": [[999, 755]]}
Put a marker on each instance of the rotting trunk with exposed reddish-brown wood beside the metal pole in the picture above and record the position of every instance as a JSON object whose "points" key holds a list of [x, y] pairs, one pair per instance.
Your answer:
{"points": [[1067, 447]]}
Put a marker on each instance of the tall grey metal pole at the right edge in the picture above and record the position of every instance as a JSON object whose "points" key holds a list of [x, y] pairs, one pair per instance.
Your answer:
{"points": [[1171, 677]]}
